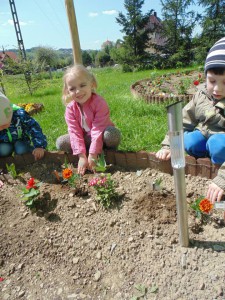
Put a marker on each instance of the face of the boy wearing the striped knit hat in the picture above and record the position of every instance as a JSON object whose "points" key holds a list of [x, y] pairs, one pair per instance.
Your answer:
{"points": [[215, 85]]}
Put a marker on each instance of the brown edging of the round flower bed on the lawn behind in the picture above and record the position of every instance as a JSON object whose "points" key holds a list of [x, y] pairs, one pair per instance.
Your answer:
{"points": [[157, 99]]}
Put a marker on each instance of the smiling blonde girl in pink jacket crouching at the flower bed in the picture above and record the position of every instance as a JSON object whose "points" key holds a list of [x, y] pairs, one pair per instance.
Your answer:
{"points": [[87, 117]]}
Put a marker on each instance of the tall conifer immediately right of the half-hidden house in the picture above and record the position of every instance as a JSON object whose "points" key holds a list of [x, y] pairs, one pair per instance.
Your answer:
{"points": [[178, 26]]}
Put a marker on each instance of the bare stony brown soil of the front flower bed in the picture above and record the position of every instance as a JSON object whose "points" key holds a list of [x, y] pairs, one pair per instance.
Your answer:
{"points": [[71, 248]]}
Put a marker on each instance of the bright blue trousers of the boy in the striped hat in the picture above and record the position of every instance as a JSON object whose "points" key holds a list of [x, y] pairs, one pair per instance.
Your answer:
{"points": [[197, 145]]}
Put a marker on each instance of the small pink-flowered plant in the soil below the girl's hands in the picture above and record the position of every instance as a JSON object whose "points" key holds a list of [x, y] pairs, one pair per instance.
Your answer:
{"points": [[105, 188]]}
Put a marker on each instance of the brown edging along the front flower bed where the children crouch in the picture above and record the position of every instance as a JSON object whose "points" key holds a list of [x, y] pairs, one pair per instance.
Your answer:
{"points": [[129, 160]]}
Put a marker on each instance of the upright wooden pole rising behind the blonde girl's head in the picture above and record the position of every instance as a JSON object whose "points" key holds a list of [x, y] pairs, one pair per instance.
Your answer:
{"points": [[77, 57]]}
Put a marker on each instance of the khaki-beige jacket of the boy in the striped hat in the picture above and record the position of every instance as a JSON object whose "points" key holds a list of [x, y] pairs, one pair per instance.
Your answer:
{"points": [[208, 116]]}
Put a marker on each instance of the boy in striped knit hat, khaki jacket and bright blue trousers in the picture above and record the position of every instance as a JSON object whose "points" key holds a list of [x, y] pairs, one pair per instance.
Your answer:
{"points": [[204, 120]]}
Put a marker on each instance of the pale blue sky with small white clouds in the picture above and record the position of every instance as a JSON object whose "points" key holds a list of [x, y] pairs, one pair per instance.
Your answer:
{"points": [[45, 22]]}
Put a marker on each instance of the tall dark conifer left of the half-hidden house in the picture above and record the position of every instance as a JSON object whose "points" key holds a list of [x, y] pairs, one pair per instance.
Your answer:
{"points": [[134, 25]]}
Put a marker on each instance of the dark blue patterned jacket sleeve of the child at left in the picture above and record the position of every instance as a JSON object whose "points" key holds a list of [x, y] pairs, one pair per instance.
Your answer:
{"points": [[32, 129]]}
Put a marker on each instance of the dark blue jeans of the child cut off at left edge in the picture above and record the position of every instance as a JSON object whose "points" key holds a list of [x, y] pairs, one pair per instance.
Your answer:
{"points": [[19, 147]]}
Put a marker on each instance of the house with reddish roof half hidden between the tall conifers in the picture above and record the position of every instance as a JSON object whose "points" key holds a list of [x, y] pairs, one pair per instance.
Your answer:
{"points": [[156, 39]]}
